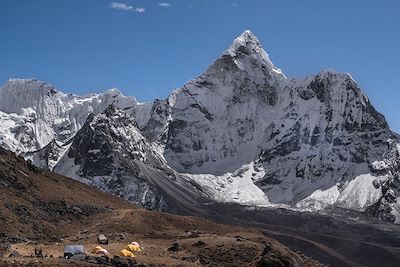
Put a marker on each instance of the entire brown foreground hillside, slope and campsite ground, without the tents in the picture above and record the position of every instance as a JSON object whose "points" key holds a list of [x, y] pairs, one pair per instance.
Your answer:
{"points": [[39, 208]]}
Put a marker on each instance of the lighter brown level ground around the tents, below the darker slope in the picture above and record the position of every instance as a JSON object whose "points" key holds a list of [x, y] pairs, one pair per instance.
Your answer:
{"points": [[171, 241]]}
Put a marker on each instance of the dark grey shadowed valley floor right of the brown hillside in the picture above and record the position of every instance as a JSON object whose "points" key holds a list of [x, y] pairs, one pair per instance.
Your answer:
{"points": [[336, 238]]}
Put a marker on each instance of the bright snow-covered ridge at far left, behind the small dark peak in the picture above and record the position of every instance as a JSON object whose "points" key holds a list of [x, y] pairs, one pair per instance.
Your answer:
{"points": [[33, 113]]}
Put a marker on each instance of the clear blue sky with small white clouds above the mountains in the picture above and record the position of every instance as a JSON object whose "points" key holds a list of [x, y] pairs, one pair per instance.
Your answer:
{"points": [[146, 48]]}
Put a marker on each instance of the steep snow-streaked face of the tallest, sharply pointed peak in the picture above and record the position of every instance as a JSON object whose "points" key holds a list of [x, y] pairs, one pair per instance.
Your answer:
{"points": [[219, 119]]}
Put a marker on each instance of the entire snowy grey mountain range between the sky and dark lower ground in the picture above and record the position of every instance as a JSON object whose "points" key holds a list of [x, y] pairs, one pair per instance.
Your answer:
{"points": [[242, 132]]}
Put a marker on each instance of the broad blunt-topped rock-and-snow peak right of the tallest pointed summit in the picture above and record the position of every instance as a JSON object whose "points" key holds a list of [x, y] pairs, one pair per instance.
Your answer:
{"points": [[329, 135]]}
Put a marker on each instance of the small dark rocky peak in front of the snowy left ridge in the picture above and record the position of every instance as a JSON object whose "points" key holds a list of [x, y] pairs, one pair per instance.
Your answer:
{"points": [[110, 153]]}
